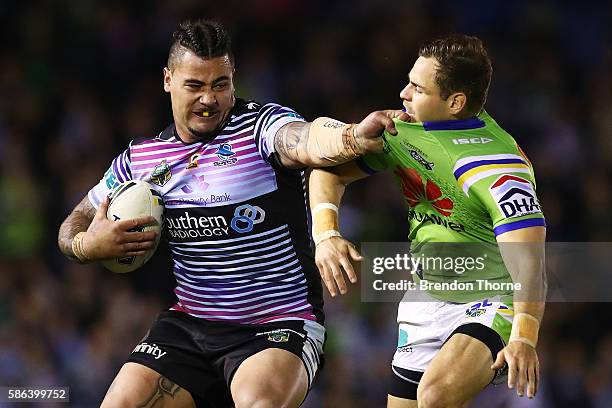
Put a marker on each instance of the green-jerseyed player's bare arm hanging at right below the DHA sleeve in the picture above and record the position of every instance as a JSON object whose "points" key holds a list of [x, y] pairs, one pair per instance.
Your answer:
{"points": [[523, 254]]}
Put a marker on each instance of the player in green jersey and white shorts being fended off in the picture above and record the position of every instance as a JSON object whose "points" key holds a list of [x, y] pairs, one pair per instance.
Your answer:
{"points": [[465, 180]]}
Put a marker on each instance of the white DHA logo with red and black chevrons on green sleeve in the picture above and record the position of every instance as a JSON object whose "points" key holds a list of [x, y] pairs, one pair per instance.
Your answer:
{"points": [[515, 196]]}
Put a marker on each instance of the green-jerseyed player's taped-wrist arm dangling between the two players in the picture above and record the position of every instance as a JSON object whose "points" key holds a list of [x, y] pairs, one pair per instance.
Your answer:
{"points": [[333, 253]]}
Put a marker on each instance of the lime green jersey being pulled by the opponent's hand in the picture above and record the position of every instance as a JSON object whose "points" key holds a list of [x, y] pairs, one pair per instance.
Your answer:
{"points": [[464, 181]]}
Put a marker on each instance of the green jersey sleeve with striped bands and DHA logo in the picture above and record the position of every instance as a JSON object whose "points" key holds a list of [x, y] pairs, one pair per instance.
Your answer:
{"points": [[505, 185]]}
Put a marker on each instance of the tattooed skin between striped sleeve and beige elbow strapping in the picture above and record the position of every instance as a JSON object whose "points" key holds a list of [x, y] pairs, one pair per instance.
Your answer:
{"points": [[290, 143]]}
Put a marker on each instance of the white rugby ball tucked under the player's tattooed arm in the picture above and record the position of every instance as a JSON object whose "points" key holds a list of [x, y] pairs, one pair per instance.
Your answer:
{"points": [[132, 199]]}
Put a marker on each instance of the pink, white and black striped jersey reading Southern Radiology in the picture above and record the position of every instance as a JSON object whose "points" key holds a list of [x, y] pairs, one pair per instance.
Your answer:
{"points": [[235, 220]]}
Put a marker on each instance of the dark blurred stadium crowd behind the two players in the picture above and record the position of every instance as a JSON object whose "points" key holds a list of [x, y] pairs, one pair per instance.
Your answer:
{"points": [[79, 79]]}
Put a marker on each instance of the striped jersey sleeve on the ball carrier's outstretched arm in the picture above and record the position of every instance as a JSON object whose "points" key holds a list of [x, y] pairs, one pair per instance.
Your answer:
{"points": [[270, 119]]}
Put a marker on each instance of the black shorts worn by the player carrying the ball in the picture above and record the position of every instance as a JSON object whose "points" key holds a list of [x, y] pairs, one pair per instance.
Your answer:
{"points": [[202, 356]]}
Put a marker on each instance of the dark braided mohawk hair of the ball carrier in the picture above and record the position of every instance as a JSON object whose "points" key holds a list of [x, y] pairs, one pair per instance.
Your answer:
{"points": [[205, 38]]}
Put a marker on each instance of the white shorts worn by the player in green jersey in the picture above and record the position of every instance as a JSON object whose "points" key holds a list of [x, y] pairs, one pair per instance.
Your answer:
{"points": [[424, 327]]}
